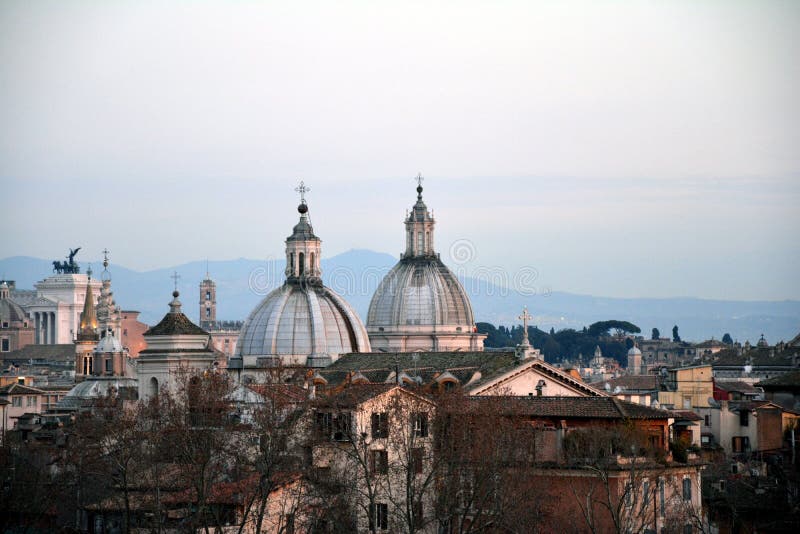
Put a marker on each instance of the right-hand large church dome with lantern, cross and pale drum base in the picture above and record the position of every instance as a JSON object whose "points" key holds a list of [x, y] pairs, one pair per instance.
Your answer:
{"points": [[420, 305]]}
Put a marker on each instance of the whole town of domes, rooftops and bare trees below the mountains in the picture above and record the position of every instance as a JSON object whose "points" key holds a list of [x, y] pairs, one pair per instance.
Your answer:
{"points": [[302, 418]]}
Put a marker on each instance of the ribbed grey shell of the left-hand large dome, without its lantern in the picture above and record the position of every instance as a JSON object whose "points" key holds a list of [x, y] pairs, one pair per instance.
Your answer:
{"points": [[303, 321]]}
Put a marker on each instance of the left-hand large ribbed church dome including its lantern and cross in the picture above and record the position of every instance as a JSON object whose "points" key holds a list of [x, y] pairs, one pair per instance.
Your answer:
{"points": [[302, 322]]}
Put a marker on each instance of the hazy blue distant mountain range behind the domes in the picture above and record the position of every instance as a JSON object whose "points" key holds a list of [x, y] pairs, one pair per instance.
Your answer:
{"points": [[242, 283]]}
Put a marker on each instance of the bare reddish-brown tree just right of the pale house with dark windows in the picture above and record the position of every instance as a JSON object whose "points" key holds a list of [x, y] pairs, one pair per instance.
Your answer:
{"points": [[487, 484]]}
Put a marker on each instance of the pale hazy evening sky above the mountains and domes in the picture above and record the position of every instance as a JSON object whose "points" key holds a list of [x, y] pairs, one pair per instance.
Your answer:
{"points": [[624, 149]]}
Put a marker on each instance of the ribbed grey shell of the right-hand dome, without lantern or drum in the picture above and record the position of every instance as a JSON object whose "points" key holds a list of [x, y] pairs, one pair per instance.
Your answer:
{"points": [[420, 291]]}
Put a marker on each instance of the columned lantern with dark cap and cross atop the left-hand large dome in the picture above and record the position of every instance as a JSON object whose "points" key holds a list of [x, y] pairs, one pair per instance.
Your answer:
{"points": [[303, 247]]}
